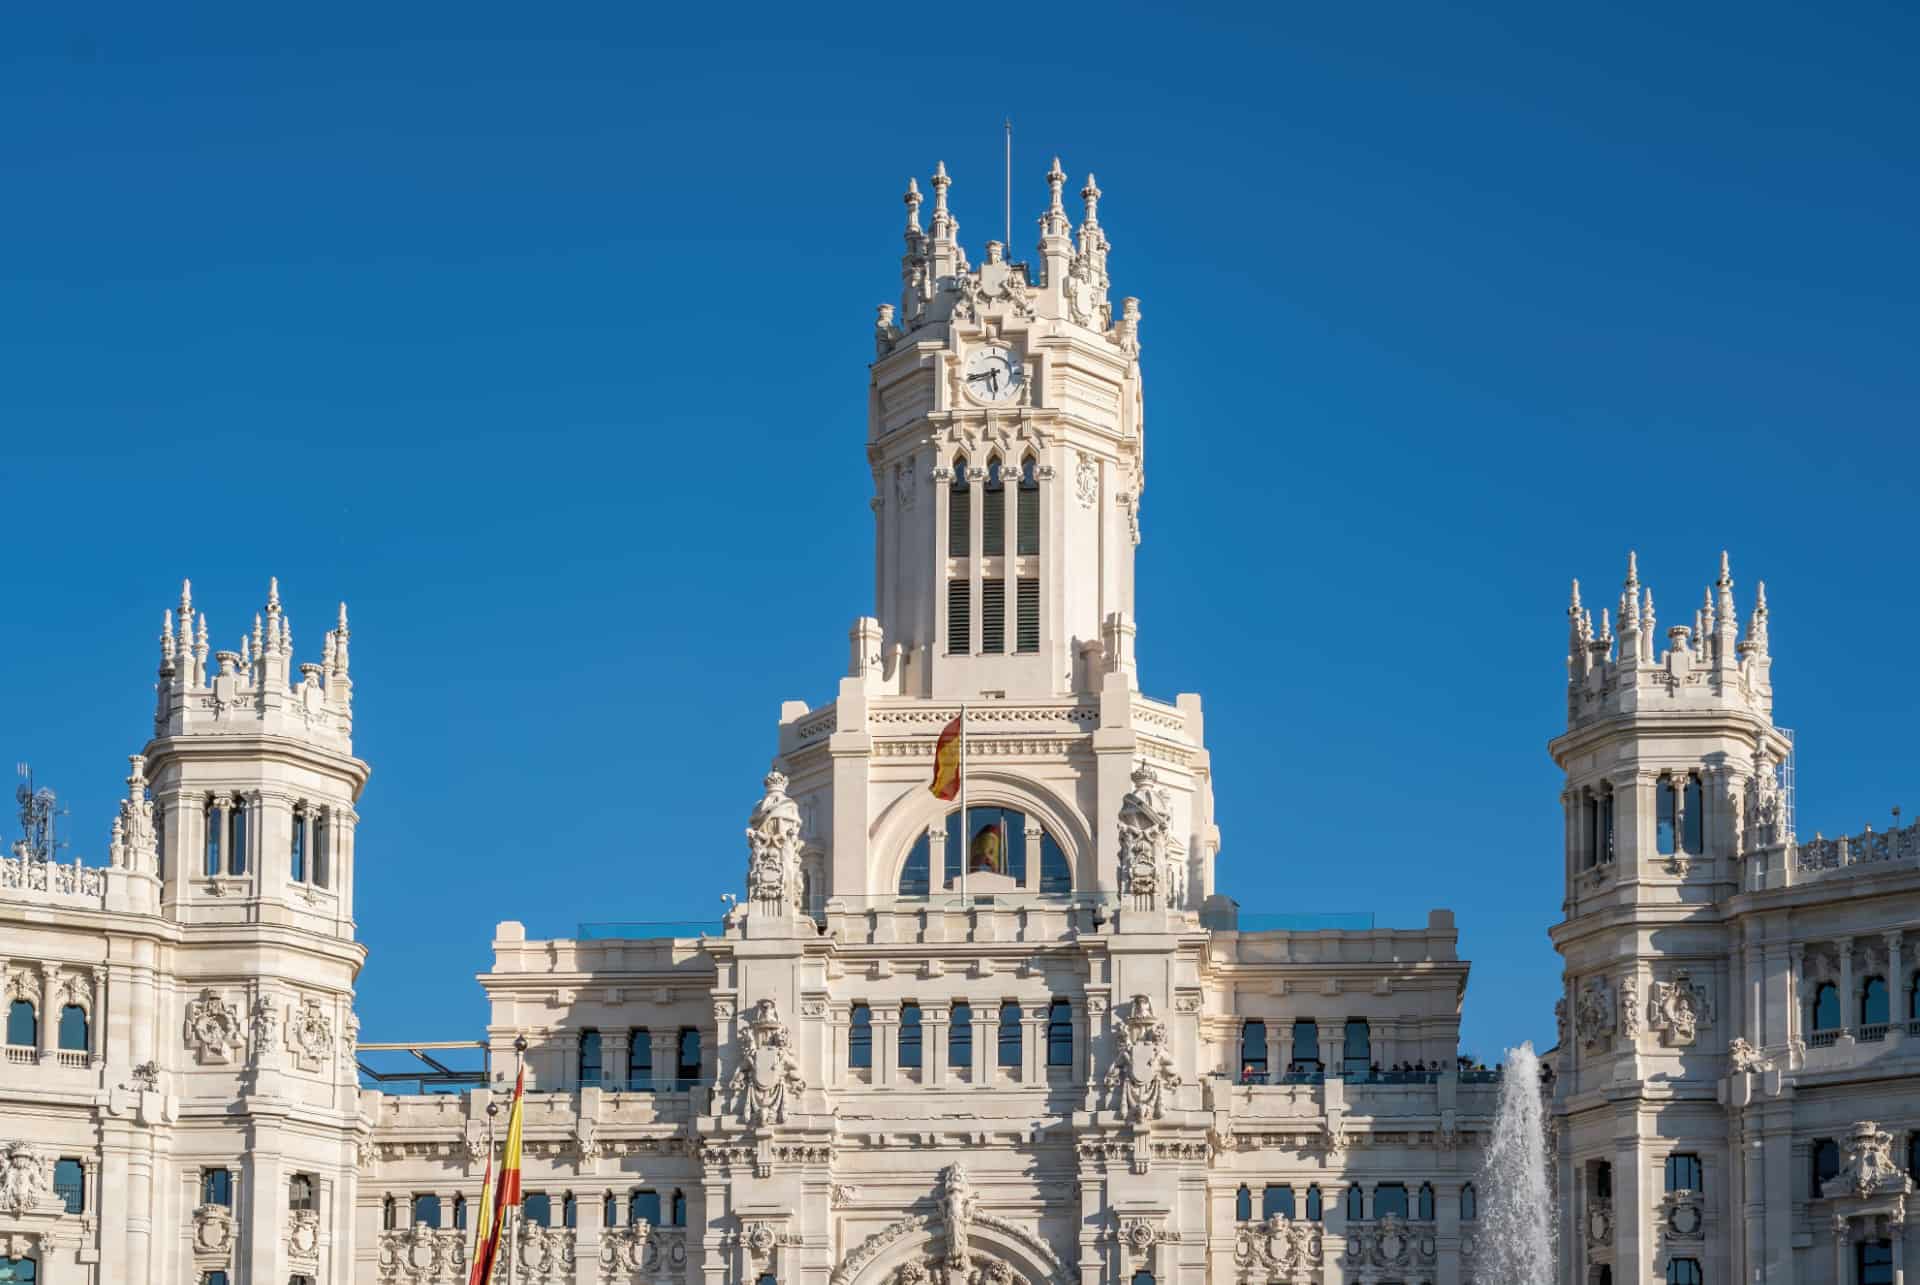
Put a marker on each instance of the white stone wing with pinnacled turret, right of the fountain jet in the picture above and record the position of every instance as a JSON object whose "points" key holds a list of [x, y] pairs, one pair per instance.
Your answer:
{"points": [[1739, 1092]]}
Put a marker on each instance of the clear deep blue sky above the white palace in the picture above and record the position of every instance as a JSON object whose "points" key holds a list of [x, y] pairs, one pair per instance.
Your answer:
{"points": [[542, 341]]}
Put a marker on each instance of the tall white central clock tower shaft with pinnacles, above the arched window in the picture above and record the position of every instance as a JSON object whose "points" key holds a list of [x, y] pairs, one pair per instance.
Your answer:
{"points": [[1005, 433]]}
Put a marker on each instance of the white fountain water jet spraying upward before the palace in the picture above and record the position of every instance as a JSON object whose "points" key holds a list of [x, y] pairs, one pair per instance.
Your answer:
{"points": [[1516, 1244]]}
